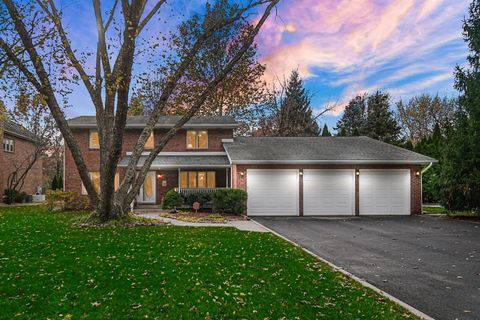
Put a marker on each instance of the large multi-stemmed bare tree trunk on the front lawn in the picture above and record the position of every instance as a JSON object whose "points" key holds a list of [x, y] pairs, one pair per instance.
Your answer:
{"points": [[109, 91]]}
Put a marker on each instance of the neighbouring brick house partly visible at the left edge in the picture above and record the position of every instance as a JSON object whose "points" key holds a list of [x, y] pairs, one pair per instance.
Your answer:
{"points": [[18, 148]]}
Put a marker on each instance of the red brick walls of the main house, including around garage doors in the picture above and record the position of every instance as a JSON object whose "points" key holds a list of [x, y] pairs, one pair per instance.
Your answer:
{"points": [[168, 179]]}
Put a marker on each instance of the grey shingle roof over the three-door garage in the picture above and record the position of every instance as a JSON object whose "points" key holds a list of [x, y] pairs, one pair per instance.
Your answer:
{"points": [[318, 150]]}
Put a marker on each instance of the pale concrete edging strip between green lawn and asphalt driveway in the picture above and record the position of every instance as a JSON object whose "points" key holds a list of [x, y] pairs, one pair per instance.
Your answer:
{"points": [[405, 305]]}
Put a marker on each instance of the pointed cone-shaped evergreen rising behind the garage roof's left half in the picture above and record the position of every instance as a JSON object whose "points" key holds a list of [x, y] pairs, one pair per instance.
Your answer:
{"points": [[295, 116]]}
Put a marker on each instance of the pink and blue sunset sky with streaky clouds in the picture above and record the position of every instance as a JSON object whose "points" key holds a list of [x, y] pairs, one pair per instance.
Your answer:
{"points": [[340, 47]]}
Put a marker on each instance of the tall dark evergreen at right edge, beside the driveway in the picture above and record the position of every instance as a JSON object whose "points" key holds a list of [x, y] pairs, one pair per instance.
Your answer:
{"points": [[460, 176]]}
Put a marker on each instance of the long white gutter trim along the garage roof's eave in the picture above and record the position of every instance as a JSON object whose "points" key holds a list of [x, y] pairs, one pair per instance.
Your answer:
{"points": [[330, 161]]}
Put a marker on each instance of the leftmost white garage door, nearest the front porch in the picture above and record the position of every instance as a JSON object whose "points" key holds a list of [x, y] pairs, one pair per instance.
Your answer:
{"points": [[272, 192]]}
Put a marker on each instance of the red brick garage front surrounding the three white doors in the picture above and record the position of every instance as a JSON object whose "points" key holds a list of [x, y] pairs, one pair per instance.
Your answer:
{"points": [[240, 179]]}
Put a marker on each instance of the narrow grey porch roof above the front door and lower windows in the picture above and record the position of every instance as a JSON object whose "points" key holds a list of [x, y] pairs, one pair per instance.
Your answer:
{"points": [[182, 161]]}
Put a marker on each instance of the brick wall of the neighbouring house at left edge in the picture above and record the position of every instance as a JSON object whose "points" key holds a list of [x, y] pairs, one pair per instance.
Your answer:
{"points": [[11, 161]]}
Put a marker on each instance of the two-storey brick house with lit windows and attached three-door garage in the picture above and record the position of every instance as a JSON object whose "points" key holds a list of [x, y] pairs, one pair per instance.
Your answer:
{"points": [[282, 176]]}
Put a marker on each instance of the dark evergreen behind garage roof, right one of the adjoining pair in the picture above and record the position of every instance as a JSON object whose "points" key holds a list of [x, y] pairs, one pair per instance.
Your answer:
{"points": [[381, 123]]}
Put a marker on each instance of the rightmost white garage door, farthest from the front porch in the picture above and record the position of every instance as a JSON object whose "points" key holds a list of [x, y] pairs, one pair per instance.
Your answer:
{"points": [[384, 192]]}
